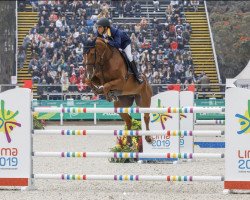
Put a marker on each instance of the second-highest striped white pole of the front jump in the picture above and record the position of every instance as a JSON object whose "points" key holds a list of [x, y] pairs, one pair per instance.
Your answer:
{"points": [[200, 133]]}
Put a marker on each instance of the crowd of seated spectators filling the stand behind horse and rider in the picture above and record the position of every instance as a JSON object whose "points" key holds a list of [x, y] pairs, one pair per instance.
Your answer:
{"points": [[58, 43]]}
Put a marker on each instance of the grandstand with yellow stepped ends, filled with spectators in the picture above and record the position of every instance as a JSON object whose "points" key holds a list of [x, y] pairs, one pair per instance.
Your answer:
{"points": [[171, 20]]}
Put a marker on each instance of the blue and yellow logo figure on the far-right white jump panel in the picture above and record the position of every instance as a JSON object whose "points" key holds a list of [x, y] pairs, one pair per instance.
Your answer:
{"points": [[244, 121]]}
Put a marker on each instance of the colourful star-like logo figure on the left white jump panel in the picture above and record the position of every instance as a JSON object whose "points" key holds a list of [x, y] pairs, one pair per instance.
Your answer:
{"points": [[7, 121]]}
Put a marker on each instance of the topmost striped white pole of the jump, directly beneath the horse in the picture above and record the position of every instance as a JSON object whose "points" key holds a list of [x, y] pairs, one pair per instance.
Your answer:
{"points": [[130, 110]]}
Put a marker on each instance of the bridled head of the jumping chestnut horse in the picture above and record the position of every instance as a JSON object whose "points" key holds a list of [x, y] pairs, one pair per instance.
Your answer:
{"points": [[96, 52]]}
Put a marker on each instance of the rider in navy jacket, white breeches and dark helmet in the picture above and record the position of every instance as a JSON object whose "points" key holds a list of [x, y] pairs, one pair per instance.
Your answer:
{"points": [[118, 39]]}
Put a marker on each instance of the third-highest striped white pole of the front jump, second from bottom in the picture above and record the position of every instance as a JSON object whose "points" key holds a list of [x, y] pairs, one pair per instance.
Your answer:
{"points": [[127, 155]]}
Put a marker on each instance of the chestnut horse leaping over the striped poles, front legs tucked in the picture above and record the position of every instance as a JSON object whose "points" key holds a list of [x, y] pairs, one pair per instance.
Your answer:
{"points": [[107, 74]]}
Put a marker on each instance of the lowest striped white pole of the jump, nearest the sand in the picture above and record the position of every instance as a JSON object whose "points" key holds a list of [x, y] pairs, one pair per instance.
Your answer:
{"points": [[128, 177]]}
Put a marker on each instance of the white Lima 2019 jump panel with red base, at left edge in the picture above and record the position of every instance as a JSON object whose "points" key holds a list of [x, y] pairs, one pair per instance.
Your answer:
{"points": [[15, 137]]}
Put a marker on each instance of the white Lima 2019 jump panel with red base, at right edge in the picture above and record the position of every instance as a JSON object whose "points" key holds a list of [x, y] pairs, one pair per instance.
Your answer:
{"points": [[237, 159]]}
